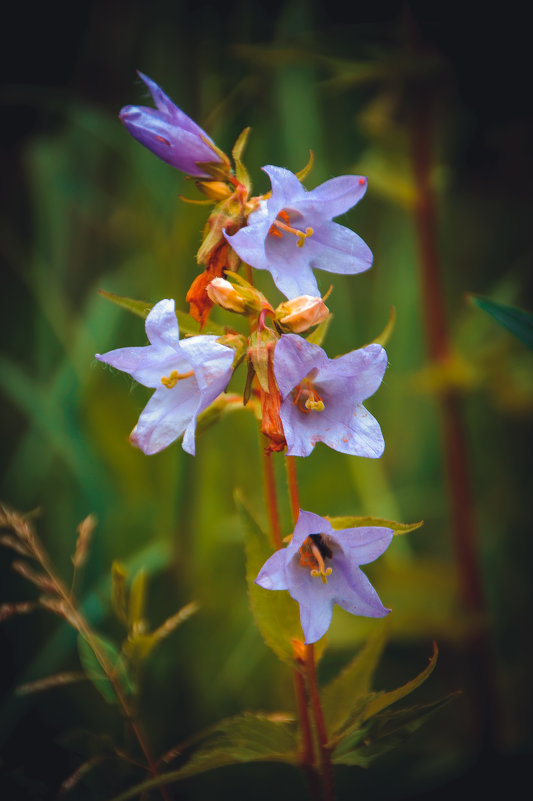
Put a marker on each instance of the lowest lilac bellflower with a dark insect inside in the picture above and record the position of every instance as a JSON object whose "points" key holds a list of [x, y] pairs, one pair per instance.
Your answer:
{"points": [[320, 568]]}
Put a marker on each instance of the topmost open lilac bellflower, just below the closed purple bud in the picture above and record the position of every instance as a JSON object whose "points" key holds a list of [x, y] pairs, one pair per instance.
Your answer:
{"points": [[292, 233]]}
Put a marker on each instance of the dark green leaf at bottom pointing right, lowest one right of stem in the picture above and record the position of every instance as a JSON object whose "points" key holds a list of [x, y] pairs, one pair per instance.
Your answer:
{"points": [[384, 732]]}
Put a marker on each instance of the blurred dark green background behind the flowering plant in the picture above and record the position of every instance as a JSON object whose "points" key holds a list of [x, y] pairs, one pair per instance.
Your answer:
{"points": [[86, 207]]}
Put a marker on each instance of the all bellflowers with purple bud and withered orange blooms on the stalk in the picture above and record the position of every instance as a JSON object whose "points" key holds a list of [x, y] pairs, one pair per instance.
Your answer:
{"points": [[303, 397]]}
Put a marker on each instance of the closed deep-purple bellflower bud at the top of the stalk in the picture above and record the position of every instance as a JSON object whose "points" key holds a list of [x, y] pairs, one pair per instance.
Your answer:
{"points": [[168, 132]]}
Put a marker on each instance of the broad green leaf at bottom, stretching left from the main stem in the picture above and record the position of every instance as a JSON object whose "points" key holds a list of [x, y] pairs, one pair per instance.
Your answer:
{"points": [[246, 738]]}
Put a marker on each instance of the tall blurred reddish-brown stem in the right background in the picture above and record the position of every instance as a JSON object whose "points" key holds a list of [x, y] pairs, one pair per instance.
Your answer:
{"points": [[454, 440]]}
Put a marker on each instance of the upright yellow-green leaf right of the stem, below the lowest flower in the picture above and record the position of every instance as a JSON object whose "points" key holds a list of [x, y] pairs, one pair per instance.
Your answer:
{"points": [[345, 692]]}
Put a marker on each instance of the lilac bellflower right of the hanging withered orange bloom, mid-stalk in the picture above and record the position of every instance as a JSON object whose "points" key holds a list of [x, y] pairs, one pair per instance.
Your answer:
{"points": [[321, 398]]}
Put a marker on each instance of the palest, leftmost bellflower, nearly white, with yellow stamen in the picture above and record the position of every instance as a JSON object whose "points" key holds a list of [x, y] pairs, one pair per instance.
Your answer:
{"points": [[187, 376]]}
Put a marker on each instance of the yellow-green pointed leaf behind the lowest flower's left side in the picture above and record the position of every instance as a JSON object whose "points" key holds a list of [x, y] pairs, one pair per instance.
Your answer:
{"points": [[275, 612]]}
